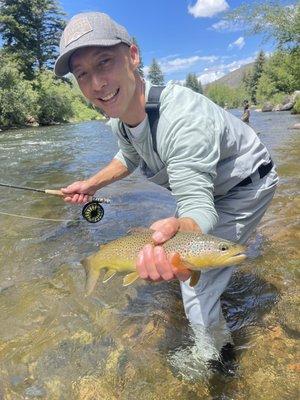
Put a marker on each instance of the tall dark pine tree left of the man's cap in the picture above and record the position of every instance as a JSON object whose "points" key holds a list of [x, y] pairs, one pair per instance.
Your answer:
{"points": [[30, 30]]}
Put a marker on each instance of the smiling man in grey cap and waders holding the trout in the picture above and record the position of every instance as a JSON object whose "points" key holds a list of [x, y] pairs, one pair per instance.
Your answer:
{"points": [[218, 171]]}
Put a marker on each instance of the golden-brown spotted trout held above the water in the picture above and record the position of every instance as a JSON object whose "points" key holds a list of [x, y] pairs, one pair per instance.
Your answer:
{"points": [[194, 251]]}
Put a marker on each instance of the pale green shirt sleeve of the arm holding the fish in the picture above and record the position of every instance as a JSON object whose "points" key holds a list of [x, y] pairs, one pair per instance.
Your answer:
{"points": [[192, 150]]}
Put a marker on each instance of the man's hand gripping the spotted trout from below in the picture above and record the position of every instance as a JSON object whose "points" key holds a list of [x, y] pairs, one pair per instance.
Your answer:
{"points": [[153, 263]]}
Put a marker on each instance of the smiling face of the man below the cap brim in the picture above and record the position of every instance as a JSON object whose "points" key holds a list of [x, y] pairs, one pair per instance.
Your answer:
{"points": [[106, 77]]}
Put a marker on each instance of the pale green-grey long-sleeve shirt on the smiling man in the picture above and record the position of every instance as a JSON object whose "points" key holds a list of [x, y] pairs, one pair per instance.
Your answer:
{"points": [[203, 151]]}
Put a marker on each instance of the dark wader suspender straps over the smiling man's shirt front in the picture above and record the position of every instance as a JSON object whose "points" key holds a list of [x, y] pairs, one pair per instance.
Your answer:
{"points": [[152, 110]]}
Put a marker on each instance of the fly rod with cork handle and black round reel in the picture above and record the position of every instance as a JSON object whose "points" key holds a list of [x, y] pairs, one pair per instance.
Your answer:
{"points": [[92, 211]]}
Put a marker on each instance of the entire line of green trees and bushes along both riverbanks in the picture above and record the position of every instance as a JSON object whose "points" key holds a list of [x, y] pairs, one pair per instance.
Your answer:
{"points": [[30, 32]]}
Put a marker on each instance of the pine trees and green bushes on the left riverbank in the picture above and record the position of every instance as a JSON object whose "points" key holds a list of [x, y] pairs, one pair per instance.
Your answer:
{"points": [[30, 93]]}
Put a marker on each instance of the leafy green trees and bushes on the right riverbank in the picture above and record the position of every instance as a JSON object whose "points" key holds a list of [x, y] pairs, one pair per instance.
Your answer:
{"points": [[273, 78]]}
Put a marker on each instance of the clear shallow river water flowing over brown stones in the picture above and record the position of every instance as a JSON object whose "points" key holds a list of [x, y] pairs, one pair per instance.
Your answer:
{"points": [[117, 344]]}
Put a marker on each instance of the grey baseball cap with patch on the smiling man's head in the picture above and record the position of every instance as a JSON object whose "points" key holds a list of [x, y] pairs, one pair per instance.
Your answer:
{"points": [[88, 29]]}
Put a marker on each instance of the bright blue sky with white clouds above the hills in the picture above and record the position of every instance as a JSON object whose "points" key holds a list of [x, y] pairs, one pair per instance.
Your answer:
{"points": [[182, 35]]}
